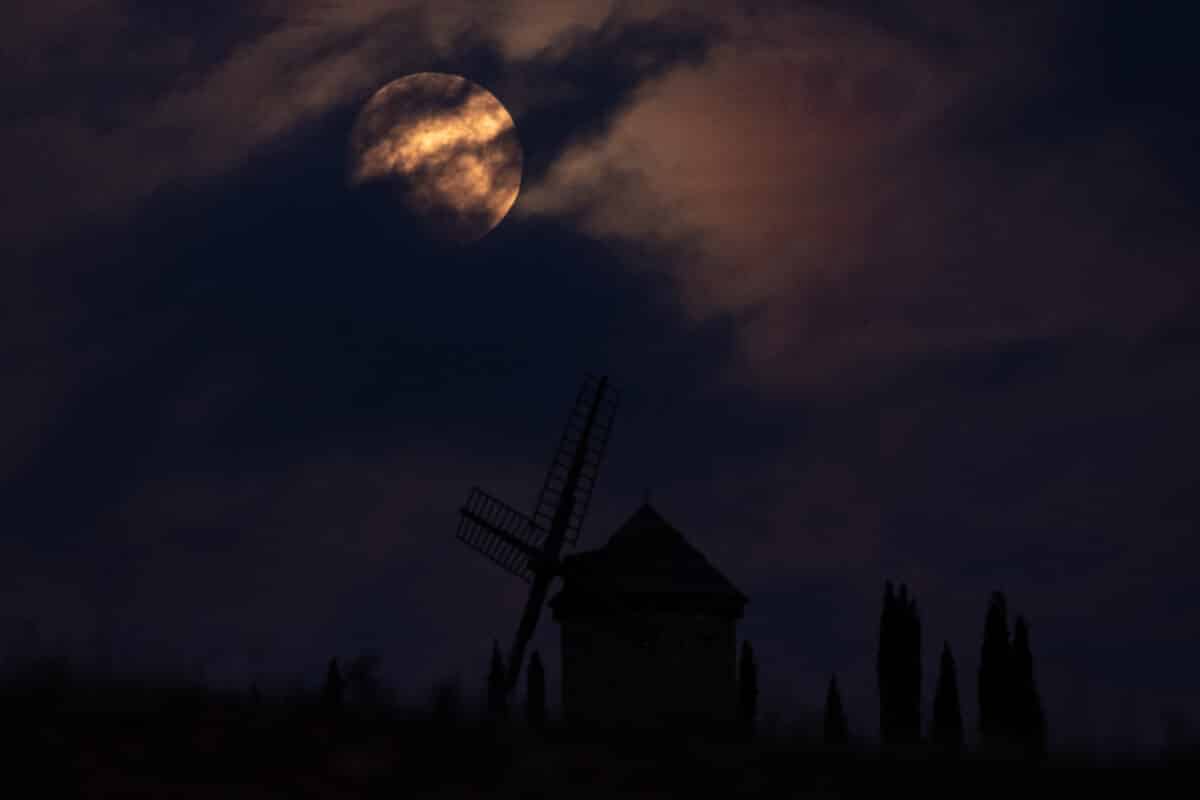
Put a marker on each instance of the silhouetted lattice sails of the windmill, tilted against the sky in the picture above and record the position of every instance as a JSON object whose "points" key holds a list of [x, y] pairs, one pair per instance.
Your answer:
{"points": [[530, 546]]}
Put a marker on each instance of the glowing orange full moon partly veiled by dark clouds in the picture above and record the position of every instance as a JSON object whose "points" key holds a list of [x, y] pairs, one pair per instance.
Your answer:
{"points": [[443, 151]]}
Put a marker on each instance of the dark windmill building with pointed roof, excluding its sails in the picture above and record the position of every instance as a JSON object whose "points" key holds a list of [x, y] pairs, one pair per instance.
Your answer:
{"points": [[649, 630]]}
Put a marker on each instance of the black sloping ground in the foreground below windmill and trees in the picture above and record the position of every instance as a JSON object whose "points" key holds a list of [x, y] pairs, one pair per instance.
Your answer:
{"points": [[135, 743]]}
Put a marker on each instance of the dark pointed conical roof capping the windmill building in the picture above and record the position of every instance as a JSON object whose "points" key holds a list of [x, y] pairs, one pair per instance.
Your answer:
{"points": [[647, 558]]}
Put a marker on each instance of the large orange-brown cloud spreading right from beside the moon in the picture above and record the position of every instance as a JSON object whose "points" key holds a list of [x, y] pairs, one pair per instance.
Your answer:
{"points": [[819, 197]]}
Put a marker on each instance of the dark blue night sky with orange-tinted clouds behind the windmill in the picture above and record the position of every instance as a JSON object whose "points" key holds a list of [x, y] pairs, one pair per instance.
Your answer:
{"points": [[892, 291]]}
